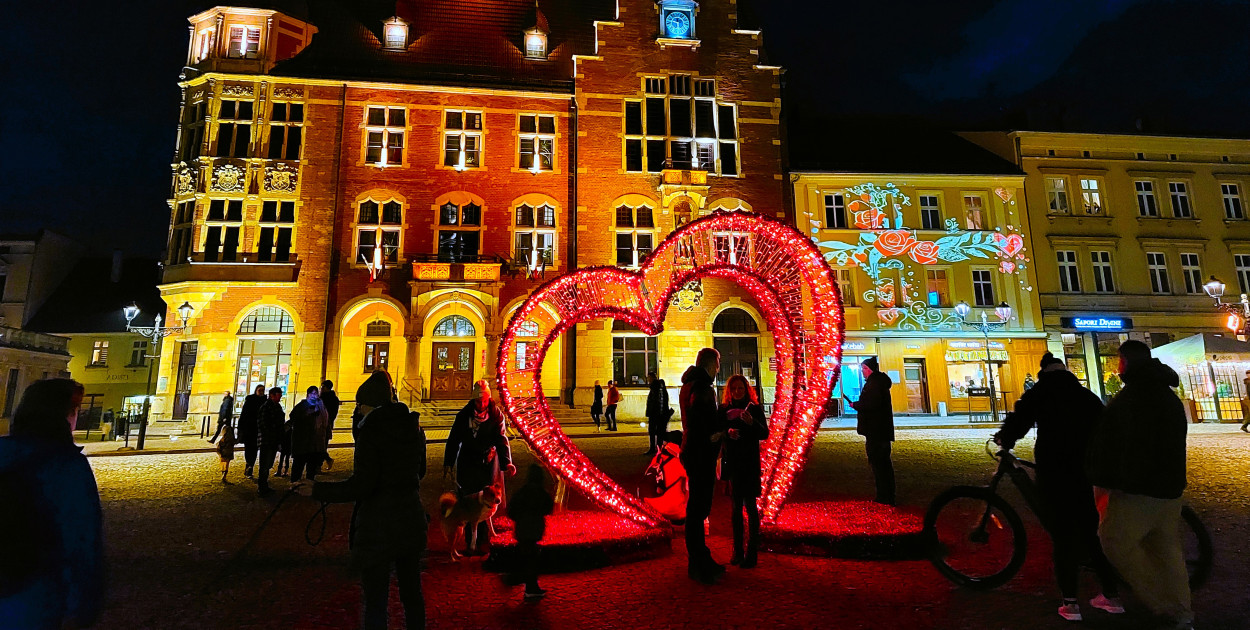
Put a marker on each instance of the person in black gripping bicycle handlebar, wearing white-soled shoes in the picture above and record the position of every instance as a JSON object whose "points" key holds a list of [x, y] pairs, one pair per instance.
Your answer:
{"points": [[1064, 413]]}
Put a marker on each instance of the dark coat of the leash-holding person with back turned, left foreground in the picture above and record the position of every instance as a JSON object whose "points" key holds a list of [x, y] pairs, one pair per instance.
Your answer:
{"points": [[389, 519]]}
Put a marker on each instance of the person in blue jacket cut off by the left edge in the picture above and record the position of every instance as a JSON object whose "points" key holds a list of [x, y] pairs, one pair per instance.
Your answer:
{"points": [[52, 567]]}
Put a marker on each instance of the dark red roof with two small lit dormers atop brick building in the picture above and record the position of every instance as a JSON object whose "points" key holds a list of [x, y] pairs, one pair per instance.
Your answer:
{"points": [[452, 42]]}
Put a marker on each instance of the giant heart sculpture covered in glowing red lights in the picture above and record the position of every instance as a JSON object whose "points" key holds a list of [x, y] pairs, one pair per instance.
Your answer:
{"points": [[781, 268]]}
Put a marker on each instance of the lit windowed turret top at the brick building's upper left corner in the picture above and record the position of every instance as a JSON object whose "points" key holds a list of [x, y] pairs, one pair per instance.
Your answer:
{"points": [[239, 39]]}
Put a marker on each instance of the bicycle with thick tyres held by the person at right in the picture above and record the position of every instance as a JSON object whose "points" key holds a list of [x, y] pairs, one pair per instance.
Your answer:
{"points": [[979, 541]]}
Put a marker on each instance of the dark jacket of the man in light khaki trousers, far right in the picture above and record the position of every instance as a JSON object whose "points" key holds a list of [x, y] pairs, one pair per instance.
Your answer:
{"points": [[1139, 446]]}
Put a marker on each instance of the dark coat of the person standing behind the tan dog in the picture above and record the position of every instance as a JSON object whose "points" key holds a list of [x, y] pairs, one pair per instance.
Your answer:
{"points": [[469, 451]]}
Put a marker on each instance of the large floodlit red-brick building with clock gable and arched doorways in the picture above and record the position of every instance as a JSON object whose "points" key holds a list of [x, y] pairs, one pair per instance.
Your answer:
{"points": [[376, 184]]}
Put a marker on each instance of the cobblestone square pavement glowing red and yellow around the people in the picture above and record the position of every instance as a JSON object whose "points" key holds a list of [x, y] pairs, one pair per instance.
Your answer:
{"points": [[176, 533]]}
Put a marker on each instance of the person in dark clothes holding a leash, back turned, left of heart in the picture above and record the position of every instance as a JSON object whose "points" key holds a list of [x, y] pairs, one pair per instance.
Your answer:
{"points": [[389, 523]]}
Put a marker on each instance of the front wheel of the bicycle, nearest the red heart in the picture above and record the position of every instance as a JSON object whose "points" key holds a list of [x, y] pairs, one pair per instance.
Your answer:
{"points": [[978, 538]]}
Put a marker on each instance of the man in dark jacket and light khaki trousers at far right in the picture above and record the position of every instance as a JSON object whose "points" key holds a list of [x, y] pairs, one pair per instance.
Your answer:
{"points": [[1137, 457]]}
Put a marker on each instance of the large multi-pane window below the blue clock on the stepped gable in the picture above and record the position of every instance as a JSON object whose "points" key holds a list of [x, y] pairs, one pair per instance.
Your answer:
{"points": [[676, 129]]}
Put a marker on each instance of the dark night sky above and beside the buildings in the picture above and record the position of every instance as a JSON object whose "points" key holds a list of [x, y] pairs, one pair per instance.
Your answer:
{"points": [[89, 116]]}
